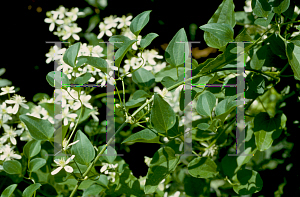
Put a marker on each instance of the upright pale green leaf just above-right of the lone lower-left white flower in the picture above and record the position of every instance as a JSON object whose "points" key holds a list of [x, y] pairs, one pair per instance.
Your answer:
{"points": [[83, 150]]}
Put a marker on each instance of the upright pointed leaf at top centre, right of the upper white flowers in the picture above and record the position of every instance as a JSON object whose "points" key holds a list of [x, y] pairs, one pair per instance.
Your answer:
{"points": [[139, 22]]}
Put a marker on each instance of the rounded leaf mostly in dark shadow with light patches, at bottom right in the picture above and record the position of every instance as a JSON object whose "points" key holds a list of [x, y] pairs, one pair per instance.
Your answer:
{"points": [[250, 182]]}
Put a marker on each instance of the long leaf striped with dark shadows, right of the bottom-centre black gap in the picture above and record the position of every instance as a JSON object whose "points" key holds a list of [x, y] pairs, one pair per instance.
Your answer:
{"points": [[163, 163]]}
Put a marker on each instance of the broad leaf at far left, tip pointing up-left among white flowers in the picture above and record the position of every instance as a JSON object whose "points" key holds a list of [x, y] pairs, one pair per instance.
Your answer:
{"points": [[39, 129]]}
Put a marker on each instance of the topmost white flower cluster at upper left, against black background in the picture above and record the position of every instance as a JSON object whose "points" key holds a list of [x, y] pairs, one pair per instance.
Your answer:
{"points": [[65, 22]]}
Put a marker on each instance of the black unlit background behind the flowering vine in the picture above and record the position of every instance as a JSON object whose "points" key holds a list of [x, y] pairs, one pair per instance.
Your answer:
{"points": [[25, 47]]}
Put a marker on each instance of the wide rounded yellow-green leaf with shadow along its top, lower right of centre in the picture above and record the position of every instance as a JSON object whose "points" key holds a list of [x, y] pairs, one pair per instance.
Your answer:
{"points": [[202, 167]]}
